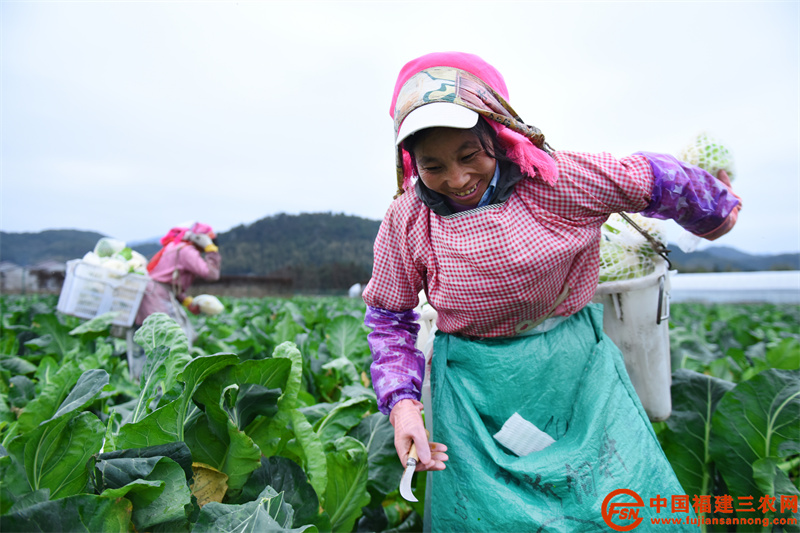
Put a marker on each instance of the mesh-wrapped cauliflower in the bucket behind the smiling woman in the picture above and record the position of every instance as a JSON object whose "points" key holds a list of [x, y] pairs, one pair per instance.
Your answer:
{"points": [[624, 252]]}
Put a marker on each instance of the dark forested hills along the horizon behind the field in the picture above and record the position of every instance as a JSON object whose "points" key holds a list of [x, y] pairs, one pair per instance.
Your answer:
{"points": [[323, 250]]}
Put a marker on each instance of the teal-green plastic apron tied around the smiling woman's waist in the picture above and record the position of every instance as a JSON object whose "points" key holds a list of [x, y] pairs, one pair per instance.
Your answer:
{"points": [[571, 383]]}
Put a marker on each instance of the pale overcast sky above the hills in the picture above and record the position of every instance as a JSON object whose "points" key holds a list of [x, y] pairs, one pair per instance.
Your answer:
{"points": [[127, 118]]}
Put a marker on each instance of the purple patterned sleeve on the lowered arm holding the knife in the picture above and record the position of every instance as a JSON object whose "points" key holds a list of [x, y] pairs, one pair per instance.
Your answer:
{"points": [[397, 366]]}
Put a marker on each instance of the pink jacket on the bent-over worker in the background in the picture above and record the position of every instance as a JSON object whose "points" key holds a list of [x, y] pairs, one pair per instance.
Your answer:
{"points": [[179, 265]]}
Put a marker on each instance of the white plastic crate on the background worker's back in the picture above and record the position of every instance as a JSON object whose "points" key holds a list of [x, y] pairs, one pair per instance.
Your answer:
{"points": [[90, 290]]}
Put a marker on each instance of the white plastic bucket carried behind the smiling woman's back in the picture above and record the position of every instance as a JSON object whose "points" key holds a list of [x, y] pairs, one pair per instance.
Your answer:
{"points": [[636, 317]]}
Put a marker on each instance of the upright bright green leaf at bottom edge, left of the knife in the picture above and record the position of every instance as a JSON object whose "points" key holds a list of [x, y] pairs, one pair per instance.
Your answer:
{"points": [[347, 492]]}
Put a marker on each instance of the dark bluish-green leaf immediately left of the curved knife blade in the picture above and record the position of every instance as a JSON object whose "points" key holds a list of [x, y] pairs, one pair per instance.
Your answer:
{"points": [[377, 435]]}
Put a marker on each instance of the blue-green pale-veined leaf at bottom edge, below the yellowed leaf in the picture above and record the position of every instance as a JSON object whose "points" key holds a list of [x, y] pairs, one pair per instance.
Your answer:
{"points": [[267, 513]]}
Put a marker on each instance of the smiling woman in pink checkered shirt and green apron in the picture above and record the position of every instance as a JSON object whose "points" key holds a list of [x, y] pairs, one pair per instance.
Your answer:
{"points": [[503, 235]]}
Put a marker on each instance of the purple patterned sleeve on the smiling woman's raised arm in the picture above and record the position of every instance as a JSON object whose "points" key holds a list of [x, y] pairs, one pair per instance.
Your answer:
{"points": [[695, 199]]}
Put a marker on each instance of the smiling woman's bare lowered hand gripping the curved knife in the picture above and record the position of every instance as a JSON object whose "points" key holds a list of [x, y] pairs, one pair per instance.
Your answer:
{"points": [[406, 418]]}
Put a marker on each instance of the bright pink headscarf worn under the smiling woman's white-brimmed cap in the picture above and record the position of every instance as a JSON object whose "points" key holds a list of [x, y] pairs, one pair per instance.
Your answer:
{"points": [[519, 149]]}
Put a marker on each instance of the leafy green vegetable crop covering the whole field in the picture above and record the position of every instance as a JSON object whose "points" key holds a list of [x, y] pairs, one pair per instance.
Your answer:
{"points": [[269, 421]]}
